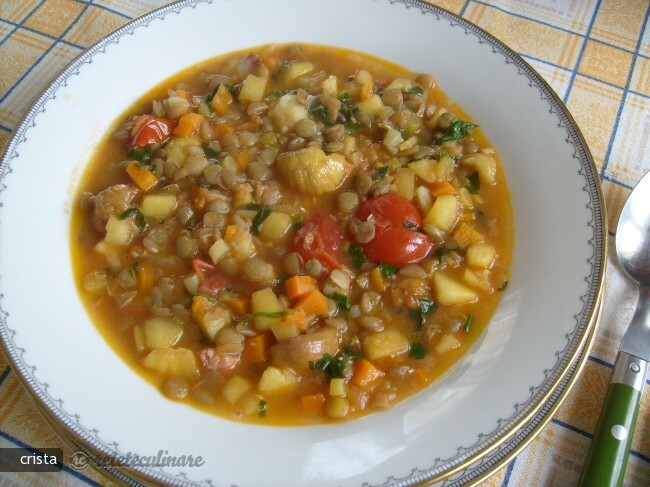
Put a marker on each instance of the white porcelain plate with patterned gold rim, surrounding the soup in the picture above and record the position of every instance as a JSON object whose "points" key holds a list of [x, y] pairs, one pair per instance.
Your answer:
{"points": [[516, 371]]}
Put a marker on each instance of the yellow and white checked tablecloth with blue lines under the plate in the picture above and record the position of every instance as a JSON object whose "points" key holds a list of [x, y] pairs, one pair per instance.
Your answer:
{"points": [[594, 53]]}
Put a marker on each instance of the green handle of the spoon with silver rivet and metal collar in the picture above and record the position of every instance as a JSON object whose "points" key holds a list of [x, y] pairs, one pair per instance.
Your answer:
{"points": [[610, 446]]}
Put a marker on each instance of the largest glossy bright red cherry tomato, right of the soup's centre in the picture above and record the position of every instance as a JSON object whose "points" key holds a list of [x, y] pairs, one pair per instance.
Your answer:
{"points": [[396, 241]]}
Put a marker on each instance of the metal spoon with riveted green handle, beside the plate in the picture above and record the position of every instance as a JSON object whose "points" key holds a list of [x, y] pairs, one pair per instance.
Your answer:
{"points": [[610, 446]]}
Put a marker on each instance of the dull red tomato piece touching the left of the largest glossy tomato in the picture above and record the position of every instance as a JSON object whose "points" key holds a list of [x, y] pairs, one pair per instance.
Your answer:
{"points": [[319, 239]]}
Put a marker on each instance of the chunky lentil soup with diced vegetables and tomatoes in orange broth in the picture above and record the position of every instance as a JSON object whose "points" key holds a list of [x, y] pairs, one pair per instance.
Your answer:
{"points": [[294, 234]]}
